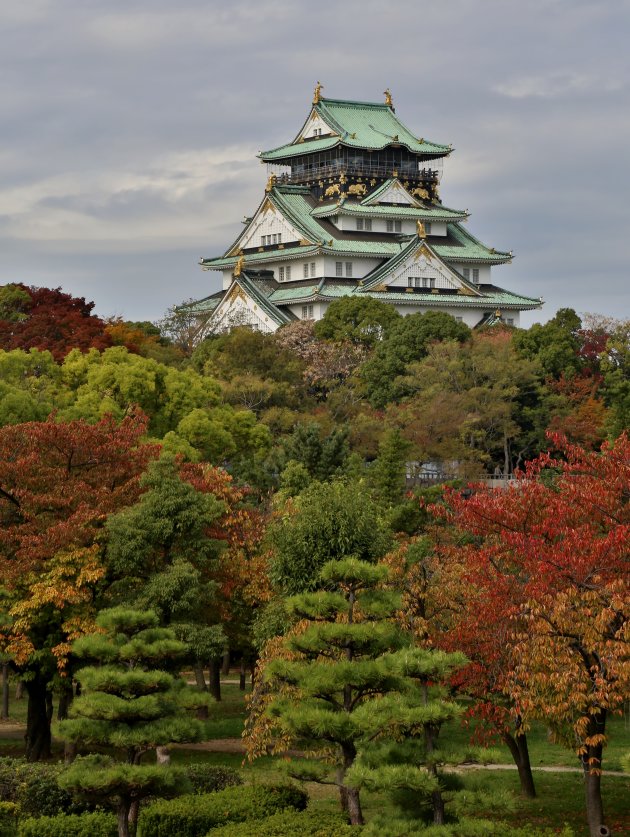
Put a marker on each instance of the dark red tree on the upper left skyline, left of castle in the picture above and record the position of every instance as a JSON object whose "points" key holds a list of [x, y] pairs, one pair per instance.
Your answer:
{"points": [[51, 320]]}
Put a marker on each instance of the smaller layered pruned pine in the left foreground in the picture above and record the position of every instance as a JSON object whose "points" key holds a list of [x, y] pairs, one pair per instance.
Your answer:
{"points": [[130, 703]]}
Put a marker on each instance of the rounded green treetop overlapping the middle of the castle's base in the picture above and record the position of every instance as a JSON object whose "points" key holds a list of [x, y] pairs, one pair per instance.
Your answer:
{"points": [[363, 321]]}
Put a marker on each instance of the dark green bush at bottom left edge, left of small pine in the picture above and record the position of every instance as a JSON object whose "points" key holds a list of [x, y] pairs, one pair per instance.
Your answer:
{"points": [[35, 789]]}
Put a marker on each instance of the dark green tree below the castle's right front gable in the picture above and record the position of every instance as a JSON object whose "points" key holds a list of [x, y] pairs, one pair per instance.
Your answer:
{"points": [[407, 341]]}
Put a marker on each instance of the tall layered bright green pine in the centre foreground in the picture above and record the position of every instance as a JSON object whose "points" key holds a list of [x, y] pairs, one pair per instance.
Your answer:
{"points": [[340, 666]]}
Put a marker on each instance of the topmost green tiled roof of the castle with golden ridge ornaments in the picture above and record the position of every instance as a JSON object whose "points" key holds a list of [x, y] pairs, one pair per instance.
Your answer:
{"points": [[367, 125]]}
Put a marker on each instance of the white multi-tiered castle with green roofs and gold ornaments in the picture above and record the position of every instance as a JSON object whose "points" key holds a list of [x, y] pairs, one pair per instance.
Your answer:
{"points": [[352, 207]]}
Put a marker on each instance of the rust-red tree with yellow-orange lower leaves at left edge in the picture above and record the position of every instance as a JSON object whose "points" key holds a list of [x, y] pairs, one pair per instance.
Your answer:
{"points": [[58, 482]]}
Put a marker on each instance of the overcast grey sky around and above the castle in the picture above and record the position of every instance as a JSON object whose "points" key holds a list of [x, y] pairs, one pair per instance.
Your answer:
{"points": [[130, 130]]}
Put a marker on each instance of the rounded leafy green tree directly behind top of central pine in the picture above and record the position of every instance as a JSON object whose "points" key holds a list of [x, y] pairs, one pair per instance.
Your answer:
{"points": [[330, 521]]}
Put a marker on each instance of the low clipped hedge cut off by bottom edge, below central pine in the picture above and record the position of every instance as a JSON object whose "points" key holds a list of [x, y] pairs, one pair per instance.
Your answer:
{"points": [[291, 824]]}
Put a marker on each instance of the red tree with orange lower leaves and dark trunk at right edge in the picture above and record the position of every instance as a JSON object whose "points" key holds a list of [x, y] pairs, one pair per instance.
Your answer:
{"points": [[560, 539]]}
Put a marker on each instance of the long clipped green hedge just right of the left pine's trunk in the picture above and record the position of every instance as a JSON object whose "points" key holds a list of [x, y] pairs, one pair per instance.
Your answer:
{"points": [[194, 816]]}
